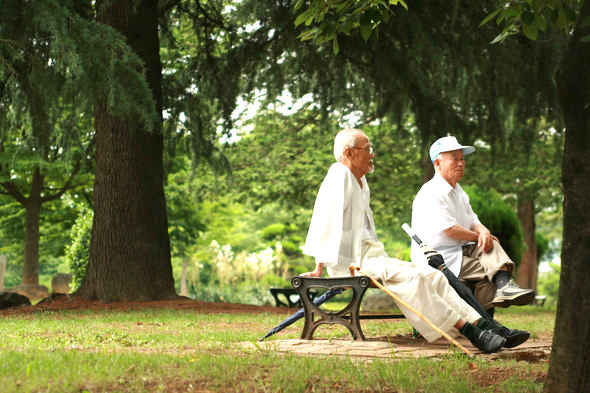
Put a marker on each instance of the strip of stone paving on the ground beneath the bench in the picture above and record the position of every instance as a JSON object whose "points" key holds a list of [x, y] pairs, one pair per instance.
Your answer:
{"points": [[398, 347]]}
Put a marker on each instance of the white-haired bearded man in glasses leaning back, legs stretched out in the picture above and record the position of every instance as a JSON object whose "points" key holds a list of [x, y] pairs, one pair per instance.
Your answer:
{"points": [[342, 232]]}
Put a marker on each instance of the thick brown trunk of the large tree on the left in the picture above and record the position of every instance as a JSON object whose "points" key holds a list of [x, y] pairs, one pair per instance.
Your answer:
{"points": [[130, 248]]}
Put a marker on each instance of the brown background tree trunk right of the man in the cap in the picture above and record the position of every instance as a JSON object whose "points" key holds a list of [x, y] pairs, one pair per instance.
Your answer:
{"points": [[527, 271]]}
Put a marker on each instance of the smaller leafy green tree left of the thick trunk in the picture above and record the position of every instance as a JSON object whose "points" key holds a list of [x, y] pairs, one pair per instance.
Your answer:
{"points": [[45, 139]]}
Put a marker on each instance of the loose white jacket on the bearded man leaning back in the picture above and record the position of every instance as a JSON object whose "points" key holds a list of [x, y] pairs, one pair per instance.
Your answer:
{"points": [[341, 219]]}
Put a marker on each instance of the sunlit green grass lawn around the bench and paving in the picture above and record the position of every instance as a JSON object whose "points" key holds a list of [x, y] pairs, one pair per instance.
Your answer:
{"points": [[167, 350]]}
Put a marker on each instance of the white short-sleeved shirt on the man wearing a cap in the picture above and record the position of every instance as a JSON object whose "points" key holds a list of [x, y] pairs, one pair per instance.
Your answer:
{"points": [[439, 206]]}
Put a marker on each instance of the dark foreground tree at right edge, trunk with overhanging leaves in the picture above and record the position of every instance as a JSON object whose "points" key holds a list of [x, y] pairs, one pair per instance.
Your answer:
{"points": [[568, 360]]}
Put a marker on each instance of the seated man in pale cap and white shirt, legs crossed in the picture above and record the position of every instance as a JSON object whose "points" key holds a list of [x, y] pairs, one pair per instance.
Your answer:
{"points": [[443, 218]]}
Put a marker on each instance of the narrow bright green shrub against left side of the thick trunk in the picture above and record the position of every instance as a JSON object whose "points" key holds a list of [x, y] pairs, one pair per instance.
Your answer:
{"points": [[77, 252]]}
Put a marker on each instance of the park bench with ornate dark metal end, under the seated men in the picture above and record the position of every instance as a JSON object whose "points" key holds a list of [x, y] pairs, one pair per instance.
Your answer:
{"points": [[349, 316]]}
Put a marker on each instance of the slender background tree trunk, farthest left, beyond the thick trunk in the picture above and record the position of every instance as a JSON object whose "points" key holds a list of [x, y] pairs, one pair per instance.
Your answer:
{"points": [[32, 207]]}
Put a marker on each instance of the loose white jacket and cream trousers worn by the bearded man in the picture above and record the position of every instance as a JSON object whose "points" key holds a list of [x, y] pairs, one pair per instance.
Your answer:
{"points": [[342, 232]]}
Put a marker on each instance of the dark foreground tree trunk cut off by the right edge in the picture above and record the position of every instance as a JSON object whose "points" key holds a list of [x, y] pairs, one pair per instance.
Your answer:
{"points": [[569, 368]]}
